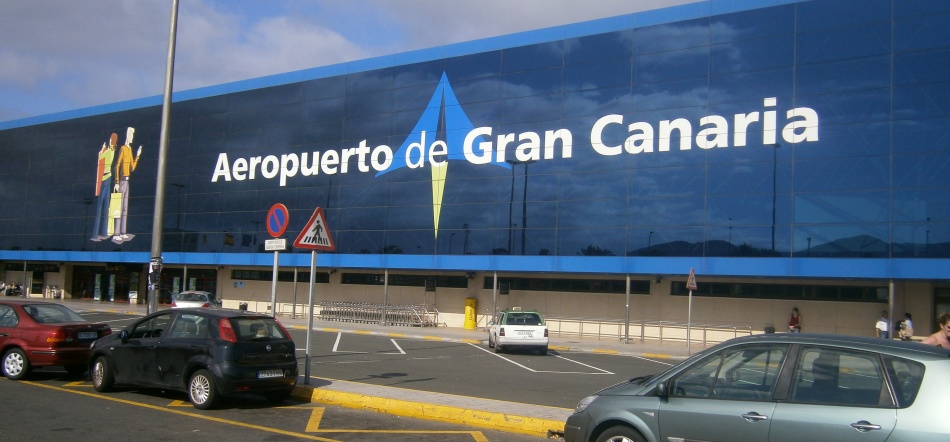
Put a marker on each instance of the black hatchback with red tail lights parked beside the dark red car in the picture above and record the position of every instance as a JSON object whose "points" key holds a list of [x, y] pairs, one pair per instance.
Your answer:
{"points": [[207, 353]]}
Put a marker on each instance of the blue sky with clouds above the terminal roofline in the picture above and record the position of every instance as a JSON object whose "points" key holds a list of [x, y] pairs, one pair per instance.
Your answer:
{"points": [[60, 55]]}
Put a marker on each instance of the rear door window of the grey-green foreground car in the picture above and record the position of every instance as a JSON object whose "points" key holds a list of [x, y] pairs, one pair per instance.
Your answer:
{"points": [[838, 377]]}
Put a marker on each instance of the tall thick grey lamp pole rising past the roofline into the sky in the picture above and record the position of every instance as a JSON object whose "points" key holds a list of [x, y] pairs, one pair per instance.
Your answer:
{"points": [[157, 226]]}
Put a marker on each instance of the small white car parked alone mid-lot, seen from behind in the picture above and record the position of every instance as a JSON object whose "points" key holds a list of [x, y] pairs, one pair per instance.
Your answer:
{"points": [[518, 328]]}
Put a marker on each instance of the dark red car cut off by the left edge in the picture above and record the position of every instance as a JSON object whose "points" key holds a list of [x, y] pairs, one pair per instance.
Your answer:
{"points": [[40, 334]]}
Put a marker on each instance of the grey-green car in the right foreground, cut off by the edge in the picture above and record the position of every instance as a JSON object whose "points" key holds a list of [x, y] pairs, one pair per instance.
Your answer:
{"points": [[780, 387]]}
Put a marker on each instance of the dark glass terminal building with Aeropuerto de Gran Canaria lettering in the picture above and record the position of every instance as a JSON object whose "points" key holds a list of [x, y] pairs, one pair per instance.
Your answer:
{"points": [[792, 153]]}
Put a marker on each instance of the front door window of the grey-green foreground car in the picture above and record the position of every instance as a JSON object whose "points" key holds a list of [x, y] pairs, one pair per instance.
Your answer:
{"points": [[738, 373]]}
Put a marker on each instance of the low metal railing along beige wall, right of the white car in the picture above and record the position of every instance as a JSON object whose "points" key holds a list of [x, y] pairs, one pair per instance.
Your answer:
{"points": [[610, 328]]}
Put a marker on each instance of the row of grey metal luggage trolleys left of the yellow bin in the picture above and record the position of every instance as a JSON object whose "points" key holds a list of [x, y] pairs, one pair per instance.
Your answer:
{"points": [[367, 313]]}
